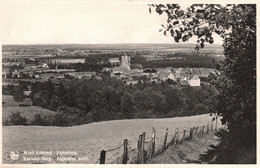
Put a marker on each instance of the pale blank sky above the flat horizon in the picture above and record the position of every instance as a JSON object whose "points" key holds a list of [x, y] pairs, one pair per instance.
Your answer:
{"points": [[78, 21]]}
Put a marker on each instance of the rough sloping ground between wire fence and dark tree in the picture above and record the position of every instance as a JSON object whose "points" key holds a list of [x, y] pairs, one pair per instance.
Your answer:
{"points": [[187, 152]]}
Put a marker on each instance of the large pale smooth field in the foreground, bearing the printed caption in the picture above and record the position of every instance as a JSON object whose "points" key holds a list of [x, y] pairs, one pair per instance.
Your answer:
{"points": [[88, 140]]}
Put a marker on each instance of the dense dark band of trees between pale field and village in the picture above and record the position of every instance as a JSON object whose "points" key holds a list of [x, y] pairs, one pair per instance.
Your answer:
{"points": [[91, 100]]}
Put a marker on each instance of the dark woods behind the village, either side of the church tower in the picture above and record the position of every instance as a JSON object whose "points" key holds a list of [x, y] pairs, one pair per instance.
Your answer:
{"points": [[98, 62]]}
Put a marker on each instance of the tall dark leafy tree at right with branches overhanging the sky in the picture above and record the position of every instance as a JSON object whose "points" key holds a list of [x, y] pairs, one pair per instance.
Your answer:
{"points": [[236, 83]]}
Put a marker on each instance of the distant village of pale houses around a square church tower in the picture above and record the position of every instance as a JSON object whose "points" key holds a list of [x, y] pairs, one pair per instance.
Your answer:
{"points": [[121, 69]]}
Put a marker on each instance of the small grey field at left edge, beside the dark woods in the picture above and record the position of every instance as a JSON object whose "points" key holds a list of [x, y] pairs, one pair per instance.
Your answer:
{"points": [[9, 106]]}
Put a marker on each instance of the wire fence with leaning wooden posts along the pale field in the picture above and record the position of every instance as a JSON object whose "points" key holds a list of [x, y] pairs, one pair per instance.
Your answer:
{"points": [[147, 149]]}
